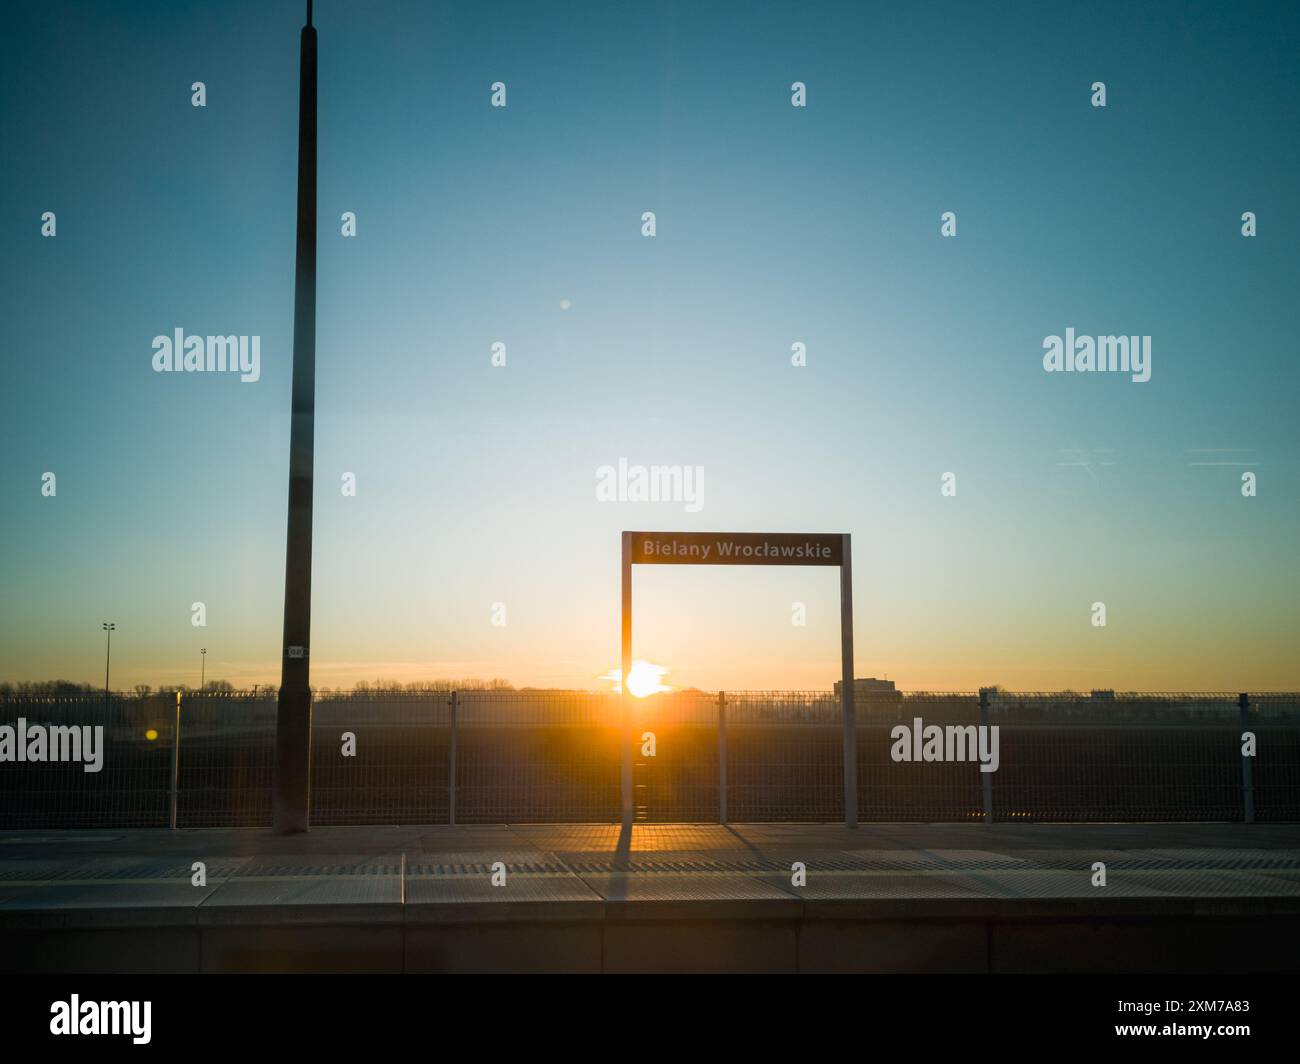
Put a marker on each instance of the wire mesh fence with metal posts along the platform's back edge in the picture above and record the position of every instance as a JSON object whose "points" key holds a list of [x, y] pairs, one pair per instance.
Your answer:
{"points": [[521, 756]]}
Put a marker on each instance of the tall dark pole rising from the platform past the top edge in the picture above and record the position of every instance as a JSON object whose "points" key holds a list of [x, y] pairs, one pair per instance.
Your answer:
{"points": [[291, 811]]}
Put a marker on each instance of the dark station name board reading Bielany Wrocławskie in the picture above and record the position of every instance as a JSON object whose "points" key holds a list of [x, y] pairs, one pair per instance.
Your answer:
{"points": [[738, 550]]}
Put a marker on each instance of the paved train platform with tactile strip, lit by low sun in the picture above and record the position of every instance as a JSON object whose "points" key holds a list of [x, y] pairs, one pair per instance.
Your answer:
{"points": [[1133, 898]]}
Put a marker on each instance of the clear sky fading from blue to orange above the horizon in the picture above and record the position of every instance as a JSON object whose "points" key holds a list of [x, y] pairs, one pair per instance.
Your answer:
{"points": [[775, 226]]}
